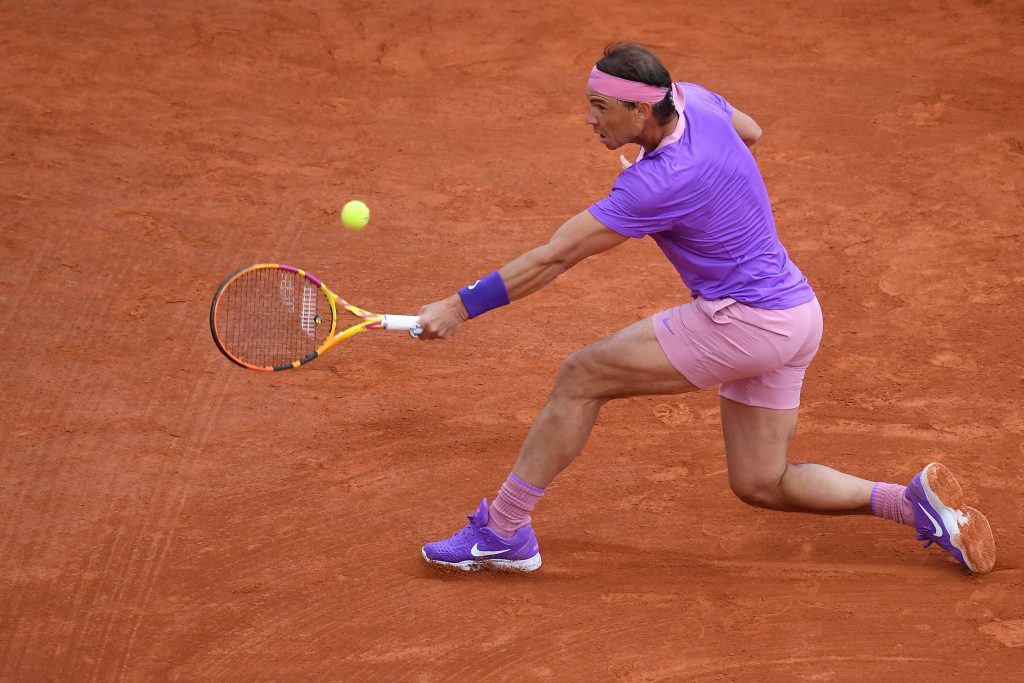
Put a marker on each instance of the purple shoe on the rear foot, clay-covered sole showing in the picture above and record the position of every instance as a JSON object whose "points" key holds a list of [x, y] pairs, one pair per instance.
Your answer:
{"points": [[942, 517]]}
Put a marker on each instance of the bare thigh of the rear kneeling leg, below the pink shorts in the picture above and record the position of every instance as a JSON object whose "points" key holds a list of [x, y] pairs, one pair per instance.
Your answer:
{"points": [[756, 444]]}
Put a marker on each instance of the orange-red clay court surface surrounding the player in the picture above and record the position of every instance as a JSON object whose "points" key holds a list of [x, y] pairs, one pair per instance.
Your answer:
{"points": [[166, 516]]}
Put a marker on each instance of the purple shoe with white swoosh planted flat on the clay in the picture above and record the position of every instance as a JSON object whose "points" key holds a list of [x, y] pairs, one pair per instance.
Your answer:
{"points": [[478, 547]]}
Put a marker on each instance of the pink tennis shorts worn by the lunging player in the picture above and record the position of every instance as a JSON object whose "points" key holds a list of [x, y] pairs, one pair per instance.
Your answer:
{"points": [[759, 357]]}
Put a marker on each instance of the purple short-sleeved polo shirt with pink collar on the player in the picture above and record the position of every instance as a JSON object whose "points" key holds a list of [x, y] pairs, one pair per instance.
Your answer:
{"points": [[700, 195]]}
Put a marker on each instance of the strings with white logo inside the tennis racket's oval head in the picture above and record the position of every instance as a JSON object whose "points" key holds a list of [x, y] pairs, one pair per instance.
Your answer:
{"points": [[270, 318]]}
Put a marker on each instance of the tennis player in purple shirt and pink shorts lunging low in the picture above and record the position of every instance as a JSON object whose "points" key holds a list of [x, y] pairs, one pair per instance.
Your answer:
{"points": [[752, 326]]}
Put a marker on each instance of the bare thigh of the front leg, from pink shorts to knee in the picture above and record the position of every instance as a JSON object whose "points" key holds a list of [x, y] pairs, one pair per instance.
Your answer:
{"points": [[630, 363]]}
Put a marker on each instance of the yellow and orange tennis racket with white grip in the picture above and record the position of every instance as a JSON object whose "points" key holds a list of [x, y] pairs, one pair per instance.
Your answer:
{"points": [[270, 317]]}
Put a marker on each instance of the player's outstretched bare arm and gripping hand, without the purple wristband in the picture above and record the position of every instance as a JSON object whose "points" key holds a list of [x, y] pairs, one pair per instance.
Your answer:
{"points": [[579, 238]]}
